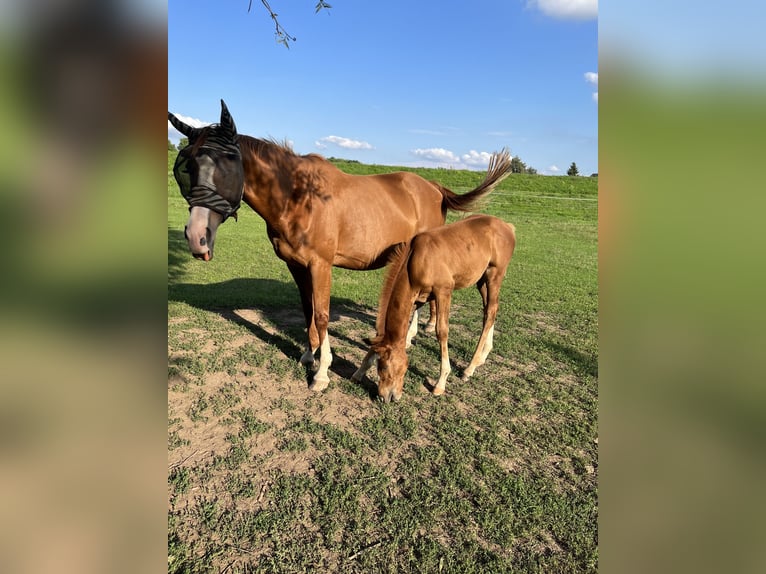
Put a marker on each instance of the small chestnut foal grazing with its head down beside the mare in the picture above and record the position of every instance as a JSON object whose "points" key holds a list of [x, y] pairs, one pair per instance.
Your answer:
{"points": [[475, 250]]}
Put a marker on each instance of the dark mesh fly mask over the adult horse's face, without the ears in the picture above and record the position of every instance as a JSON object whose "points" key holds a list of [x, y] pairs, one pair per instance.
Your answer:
{"points": [[217, 166]]}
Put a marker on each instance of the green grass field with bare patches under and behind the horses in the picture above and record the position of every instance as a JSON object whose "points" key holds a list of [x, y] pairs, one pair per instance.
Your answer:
{"points": [[498, 475]]}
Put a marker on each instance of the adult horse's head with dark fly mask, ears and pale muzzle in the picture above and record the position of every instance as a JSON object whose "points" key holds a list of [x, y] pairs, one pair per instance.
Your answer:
{"points": [[211, 178]]}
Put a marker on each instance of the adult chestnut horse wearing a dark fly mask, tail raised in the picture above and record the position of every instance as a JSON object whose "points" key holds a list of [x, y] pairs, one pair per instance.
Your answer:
{"points": [[316, 216]]}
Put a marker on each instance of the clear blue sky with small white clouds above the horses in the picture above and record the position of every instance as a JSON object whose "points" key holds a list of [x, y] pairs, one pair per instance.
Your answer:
{"points": [[398, 82]]}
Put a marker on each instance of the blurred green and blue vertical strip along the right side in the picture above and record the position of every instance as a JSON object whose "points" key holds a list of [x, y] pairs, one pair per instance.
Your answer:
{"points": [[682, 400]]}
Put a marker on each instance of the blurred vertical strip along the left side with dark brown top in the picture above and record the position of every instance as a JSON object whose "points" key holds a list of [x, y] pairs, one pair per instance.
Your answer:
{"points": [[82, 286]]}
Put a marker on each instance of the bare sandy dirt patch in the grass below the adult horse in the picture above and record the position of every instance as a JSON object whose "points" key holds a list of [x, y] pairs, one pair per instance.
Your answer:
{"points": [[275, 393]]}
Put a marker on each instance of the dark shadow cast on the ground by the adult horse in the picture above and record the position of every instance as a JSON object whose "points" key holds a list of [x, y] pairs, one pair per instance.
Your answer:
{"points": [[277, 304]]}
